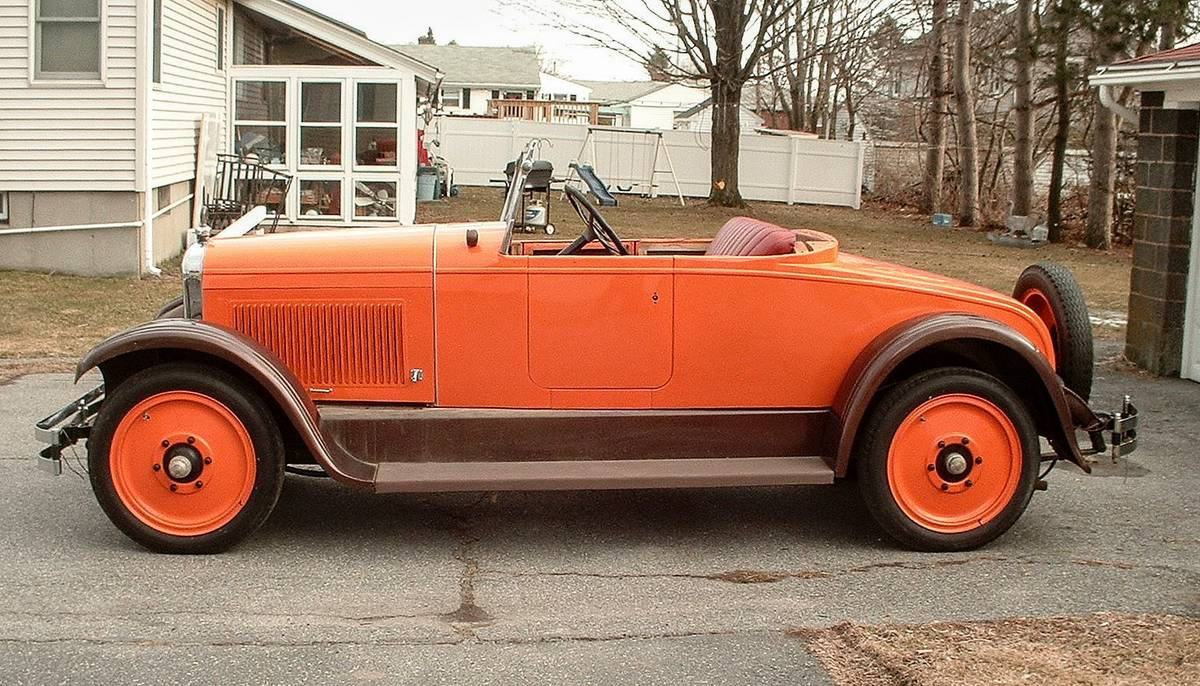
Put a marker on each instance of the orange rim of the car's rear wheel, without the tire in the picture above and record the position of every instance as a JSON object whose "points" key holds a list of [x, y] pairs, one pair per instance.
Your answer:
{"points": [[955, 464]]}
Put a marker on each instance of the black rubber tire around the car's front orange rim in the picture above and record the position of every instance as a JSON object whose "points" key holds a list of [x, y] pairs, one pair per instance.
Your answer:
{"points": [[241, 400]]}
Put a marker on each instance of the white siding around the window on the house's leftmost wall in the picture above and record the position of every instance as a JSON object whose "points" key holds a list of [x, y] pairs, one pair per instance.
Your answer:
{"points": [[68, 136]]}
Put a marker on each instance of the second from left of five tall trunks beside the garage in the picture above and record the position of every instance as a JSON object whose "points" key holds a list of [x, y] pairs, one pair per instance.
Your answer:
{"points": [[969, 137]]}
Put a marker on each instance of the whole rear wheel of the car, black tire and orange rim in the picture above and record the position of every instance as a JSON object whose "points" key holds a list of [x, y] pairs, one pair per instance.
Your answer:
{"points": [[950, 460]]}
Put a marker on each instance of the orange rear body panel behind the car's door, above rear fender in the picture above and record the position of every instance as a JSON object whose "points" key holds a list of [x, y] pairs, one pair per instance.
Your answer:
{"points": [[776, 335]]}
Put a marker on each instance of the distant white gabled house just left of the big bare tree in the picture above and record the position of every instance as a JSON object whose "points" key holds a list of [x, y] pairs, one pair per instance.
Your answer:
{"points": [[644, 105]]}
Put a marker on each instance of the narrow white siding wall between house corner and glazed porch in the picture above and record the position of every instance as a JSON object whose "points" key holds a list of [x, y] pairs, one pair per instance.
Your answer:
{"points": [[193, 85]]}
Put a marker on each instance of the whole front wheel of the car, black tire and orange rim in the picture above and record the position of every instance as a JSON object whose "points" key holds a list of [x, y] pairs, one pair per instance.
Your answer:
{"points": [[185, 460]]}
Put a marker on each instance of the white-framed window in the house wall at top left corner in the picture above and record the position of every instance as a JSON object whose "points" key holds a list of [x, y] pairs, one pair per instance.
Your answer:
{"points": [[68, 40]]}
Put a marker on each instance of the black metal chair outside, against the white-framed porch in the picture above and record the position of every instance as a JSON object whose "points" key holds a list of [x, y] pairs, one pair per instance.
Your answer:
{"points": [[242, 184]]}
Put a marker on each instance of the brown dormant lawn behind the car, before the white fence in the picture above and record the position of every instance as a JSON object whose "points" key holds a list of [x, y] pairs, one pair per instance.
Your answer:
{"points": [[877, 231]]}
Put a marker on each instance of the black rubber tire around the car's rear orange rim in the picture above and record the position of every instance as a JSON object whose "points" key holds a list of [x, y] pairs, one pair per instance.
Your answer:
{"points": [[883, 426]]}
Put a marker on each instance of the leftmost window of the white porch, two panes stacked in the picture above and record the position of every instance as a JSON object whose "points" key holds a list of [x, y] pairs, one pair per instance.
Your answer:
{"points": [[261, 121]]}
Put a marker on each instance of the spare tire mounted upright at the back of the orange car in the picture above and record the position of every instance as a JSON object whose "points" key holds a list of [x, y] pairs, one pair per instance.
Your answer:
{"points": [[1052, 292]]}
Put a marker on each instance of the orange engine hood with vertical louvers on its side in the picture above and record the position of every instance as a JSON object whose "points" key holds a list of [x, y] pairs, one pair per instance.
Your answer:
{"points": [[353, 317]]}
